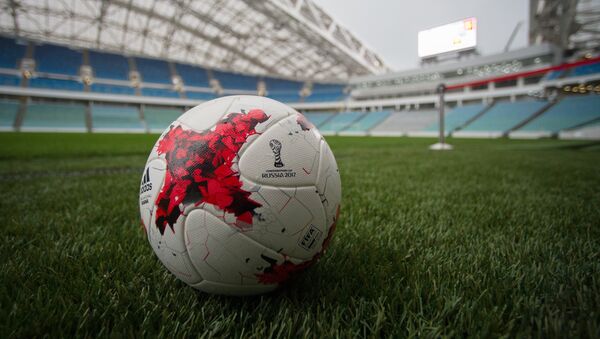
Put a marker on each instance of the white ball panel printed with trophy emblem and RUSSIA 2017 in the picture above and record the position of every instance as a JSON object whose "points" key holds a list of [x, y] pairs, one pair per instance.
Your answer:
{"points": [[283, 155]]}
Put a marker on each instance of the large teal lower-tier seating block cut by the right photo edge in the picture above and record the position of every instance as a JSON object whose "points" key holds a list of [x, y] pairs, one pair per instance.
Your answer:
{"points": [[570, 112]]}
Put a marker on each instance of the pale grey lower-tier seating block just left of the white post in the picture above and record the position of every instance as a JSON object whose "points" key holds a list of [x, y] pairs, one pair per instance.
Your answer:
{"points": [[406, 123]]}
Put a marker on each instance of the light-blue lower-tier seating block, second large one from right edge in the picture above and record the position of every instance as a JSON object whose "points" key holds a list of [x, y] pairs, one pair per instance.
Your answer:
{"points": [[501, 118]]}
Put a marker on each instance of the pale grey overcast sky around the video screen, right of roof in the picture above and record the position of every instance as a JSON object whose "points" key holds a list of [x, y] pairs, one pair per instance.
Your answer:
{"points": [[390, 27]]}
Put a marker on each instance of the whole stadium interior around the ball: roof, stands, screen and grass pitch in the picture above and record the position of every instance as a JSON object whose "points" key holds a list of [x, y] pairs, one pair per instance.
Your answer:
{"points": [[497, 236]]}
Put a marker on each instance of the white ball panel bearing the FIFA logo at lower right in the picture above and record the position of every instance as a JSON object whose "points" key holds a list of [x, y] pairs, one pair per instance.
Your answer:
{"points": [[291, 221]]}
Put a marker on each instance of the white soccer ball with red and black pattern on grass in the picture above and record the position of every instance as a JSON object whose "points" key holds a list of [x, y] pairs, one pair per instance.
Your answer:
{"points": [[238, 194]]}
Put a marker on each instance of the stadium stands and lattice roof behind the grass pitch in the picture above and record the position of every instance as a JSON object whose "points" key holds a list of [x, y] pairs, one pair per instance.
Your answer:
{"points": [[119, 66]]}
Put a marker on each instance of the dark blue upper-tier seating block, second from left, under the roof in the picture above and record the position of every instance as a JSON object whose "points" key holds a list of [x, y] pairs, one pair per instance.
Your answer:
{"points": [[57, 59]]}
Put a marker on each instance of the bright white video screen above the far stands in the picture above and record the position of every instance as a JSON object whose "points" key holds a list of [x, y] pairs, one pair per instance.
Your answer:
{"points": [[456, 36]]}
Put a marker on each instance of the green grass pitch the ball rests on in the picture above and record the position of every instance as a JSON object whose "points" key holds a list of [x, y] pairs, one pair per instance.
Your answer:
{"points": [[496, 238]]}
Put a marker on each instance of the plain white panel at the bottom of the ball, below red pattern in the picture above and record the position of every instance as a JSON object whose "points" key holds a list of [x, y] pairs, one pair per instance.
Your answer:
{"points": [[222, 254]]}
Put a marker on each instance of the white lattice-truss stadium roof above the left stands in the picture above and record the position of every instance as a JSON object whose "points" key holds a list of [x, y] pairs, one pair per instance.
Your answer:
{"points": [[290, 38]]}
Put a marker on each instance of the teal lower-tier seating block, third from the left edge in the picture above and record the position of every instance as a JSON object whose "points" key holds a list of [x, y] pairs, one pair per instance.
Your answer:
{"points": [[116, 118]]}
